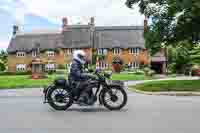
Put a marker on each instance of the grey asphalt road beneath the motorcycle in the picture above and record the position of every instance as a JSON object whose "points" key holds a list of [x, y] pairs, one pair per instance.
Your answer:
{"points": [[143, 114]]}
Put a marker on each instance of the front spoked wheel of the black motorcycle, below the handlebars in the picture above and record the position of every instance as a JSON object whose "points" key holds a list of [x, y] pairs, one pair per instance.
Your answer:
{"points": [[114, 98]]}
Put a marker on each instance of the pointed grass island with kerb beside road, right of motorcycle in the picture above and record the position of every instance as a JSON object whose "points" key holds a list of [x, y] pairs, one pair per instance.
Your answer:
{"points": [[170, 85]]}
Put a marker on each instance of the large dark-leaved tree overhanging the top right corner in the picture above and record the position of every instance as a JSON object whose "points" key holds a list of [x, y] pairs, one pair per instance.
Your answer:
{"points": [[172, 21]]}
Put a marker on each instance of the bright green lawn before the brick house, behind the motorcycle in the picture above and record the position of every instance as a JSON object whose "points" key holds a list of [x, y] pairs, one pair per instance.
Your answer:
{"points": [[24, 81]]}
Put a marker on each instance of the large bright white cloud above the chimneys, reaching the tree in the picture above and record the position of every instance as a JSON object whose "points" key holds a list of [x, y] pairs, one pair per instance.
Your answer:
{"points": [[106, 12]]}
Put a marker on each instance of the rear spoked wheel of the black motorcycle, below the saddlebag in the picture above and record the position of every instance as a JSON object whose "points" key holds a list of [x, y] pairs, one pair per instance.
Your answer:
{"points": [[59, 98]]}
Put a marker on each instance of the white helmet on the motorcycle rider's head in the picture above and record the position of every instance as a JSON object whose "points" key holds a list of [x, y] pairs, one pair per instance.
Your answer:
{"points": [[80, 56]]}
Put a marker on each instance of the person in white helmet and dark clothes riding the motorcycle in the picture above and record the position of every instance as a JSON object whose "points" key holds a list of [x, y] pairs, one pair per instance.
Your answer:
{"points": [[78, 77]]}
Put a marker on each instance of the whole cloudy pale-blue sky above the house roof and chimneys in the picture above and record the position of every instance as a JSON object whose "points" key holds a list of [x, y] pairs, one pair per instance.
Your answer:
{"points": [[48, 14]]}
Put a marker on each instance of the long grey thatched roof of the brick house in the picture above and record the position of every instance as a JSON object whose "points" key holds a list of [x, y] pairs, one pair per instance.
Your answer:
{"points": [[79, 36]]}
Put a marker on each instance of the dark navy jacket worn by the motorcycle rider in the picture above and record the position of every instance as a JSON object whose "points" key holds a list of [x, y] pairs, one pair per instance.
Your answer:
{"points": [[77, 72]]}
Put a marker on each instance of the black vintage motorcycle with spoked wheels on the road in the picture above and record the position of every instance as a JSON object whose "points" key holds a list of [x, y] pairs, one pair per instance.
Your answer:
{"points": [[60, 94]]}
